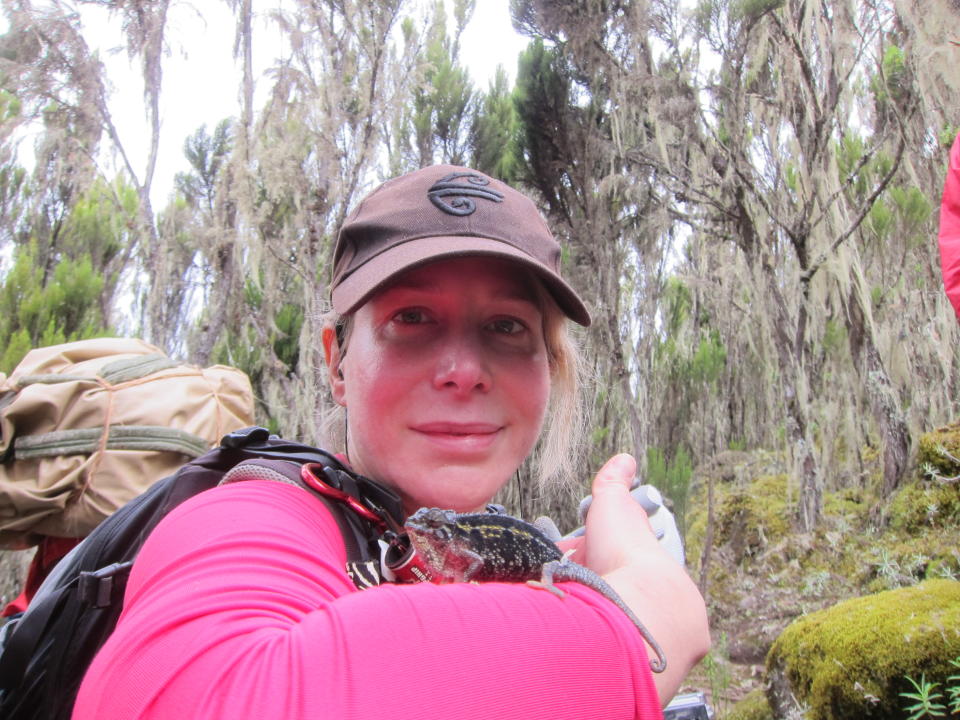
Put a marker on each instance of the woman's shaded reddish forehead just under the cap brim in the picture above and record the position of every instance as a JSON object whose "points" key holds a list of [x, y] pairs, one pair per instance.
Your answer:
{"points": [[496, 277]]}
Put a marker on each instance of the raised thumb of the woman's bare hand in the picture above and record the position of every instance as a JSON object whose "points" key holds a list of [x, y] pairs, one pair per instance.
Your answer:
{"points": [[616, 526]]}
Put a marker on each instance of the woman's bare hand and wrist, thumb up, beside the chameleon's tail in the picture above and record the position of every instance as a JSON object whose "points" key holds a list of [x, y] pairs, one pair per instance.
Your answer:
{"points": [[620, 545]]}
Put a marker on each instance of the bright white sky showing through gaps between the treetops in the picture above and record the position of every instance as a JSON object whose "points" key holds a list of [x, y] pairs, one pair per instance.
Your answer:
{"points": [[201, 79]]}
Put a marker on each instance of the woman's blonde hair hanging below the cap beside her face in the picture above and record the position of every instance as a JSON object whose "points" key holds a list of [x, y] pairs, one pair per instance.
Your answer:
{"points": [[556, 455]]}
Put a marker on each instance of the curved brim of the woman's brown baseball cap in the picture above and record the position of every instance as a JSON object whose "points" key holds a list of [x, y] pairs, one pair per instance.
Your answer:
{"points": [[356, 288]]}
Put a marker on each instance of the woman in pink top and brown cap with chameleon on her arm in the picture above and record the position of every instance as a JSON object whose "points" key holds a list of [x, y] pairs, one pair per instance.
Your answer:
{"points": [[446, 344]]}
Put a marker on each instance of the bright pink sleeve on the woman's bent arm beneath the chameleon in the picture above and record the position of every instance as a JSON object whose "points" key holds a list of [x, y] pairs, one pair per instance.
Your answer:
{"points": [[239, 607]]}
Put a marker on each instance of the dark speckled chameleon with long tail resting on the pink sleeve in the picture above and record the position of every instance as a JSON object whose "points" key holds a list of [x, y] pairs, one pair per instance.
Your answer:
{"points": [[484, 547]]}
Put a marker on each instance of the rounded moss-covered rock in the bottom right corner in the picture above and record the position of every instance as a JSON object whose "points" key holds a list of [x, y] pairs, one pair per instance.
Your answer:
{"points": [[852, 660]]}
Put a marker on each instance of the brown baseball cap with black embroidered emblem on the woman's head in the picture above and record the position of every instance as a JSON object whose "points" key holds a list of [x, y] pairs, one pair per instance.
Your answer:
{"points": [[443, 211]]}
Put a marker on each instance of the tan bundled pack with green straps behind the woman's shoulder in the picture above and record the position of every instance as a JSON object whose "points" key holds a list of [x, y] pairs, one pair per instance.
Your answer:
{"points": [[87, 426]]}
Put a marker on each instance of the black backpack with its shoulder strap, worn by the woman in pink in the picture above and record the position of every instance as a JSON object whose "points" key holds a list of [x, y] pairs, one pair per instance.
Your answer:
{"points": [[45, 656]]}
